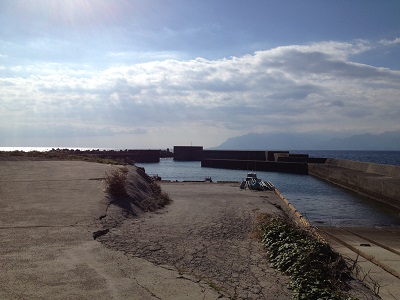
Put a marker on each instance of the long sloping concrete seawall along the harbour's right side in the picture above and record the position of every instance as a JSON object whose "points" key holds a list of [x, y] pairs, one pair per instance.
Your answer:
{"points": [[377, 181]]}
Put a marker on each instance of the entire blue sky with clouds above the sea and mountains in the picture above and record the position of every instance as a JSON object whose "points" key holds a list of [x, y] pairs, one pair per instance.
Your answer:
{"points": [[158, 73]]}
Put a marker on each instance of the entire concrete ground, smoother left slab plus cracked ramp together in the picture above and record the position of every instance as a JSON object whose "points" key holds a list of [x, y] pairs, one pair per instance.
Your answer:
{"points": [[196, 248]]}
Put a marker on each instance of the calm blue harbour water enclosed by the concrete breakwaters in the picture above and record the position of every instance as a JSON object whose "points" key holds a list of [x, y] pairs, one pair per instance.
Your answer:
{"points": [[319, 201]]}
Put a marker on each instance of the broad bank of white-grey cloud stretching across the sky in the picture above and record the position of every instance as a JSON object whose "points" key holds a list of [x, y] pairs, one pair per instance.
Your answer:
{"points": [[311, 87]]}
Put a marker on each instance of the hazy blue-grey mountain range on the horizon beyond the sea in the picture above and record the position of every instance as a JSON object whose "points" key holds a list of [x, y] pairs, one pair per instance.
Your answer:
{"points": [[389, 140]]}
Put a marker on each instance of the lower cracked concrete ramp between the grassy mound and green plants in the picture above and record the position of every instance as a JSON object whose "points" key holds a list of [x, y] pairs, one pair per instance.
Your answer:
{"points": [[206, 233]]}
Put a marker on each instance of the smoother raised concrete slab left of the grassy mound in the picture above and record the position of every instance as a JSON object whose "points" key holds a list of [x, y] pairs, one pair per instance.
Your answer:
{"points": [[48, 212]]}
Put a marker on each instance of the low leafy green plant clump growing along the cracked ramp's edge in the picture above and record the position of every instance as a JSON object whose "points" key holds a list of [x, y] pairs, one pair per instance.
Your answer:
{"points": [[315, 270]]}
